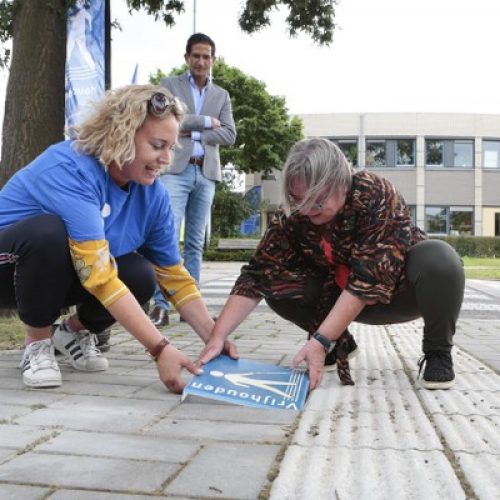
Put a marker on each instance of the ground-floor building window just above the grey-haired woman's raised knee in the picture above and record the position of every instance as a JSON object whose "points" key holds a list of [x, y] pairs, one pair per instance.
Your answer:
{"points": [[454, 221]]}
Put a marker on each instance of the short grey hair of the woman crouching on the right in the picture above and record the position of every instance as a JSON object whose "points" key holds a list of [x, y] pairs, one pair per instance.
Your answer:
{"points": [[321, 165]]}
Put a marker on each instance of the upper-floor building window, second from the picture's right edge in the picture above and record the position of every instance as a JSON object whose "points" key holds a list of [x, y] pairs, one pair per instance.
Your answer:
{"points": [[449, 153]]}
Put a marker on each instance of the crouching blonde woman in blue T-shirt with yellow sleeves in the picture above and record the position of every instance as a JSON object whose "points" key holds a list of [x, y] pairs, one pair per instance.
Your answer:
{"points": [[88, 223]]}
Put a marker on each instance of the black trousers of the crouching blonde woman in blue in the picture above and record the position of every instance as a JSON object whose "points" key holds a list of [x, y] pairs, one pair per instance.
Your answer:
{"points": [[38, 279]]}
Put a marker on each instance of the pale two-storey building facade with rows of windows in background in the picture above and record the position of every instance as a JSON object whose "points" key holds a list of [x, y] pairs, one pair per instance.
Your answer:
{"points": [[447, 166]]}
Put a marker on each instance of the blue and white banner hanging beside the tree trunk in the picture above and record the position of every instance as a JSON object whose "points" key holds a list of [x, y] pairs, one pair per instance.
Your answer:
{"points": [[85, 58]]}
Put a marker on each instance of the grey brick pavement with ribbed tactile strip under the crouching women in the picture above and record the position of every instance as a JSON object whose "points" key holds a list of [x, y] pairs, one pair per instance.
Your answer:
{"points": [[121, 435]]}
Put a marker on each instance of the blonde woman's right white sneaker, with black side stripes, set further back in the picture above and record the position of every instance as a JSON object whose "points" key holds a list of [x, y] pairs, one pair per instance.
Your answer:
{"points": [[79, 348]]}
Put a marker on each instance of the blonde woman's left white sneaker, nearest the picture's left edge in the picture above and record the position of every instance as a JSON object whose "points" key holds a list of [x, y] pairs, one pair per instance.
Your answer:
{"points": [[39, 365]]}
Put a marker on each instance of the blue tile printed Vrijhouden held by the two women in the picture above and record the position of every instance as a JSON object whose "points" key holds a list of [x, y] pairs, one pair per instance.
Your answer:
{"points": [[249, 383]]}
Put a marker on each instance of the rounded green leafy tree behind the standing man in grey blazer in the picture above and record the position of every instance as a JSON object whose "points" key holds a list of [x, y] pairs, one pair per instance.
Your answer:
{"points": [[265, 130]]}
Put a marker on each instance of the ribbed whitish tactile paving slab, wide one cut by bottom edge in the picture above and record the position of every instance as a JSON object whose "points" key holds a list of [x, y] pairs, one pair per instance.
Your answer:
{"points": [[342, 473]]}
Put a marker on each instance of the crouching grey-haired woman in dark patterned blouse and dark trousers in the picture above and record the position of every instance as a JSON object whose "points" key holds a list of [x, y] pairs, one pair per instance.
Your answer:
{"points": [[344, 249]]}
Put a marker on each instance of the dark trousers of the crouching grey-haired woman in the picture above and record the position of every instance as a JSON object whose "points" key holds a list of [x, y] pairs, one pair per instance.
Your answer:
{"points": [[436, 287]]}
